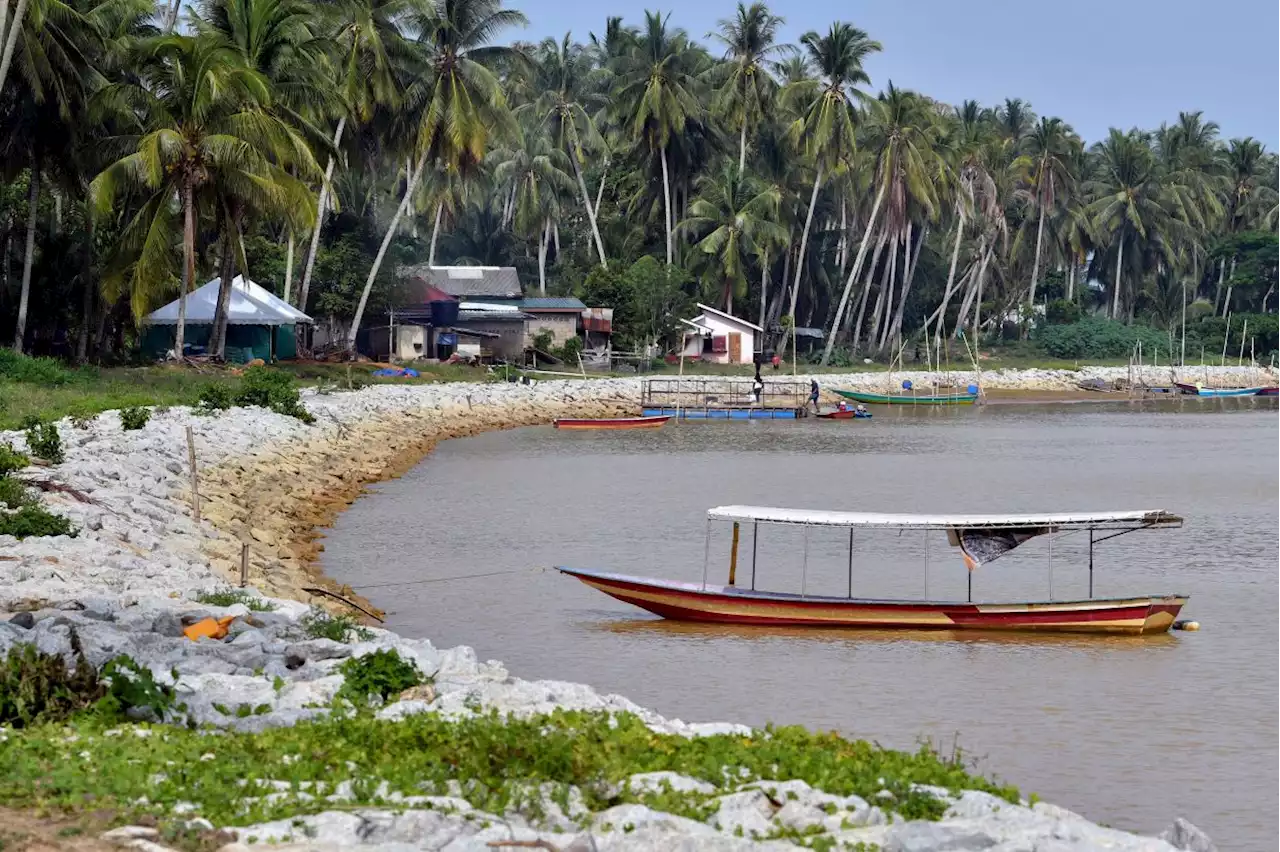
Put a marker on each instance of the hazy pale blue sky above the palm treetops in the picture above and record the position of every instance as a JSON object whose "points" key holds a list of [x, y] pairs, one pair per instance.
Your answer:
{"points": [[1095, 63]]}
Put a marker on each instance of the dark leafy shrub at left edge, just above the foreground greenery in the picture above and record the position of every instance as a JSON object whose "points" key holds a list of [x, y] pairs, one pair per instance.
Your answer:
{"points": [[38, 688]]}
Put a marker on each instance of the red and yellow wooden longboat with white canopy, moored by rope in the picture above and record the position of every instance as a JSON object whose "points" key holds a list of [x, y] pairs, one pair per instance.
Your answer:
{"points": [[981, 540]]}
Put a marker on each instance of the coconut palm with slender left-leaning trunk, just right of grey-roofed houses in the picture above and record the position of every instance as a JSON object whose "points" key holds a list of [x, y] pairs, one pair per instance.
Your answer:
{"points": [[572, 95]]}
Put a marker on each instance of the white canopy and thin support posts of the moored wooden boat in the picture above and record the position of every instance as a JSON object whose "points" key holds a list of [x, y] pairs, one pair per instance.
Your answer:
{"points": [[1118, 524]]}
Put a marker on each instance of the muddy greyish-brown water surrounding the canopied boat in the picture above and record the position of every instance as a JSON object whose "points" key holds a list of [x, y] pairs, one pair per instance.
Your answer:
{"points": [[1130, 731]]}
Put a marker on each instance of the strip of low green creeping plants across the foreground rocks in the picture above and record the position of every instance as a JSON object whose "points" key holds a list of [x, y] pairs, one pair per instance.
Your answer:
{"points": [[85, 767]]}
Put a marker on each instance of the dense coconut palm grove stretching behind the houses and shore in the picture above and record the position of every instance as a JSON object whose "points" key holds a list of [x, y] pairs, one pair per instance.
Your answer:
{"points": [[317, 146]]}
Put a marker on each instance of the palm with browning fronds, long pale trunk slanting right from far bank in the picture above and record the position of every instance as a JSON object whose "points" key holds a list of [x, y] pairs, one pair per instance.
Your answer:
{"points": [[902, 135]]}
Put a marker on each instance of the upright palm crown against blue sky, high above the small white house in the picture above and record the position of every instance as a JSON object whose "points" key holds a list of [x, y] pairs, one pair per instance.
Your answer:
{"points": [[746, 88]]}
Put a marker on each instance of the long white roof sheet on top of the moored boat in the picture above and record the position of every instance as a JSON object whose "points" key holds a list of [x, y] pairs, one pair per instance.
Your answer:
{"points": [[826, 519]]}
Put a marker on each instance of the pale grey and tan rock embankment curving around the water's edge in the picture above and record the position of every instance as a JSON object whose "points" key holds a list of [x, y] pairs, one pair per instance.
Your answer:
{"points": [[130, 583]]}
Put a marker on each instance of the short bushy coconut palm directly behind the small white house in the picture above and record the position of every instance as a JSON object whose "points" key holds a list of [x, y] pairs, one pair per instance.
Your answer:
{"points": [[734, 219]]}
